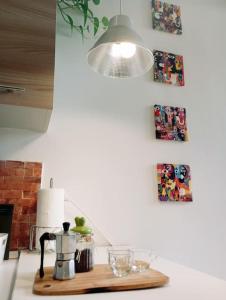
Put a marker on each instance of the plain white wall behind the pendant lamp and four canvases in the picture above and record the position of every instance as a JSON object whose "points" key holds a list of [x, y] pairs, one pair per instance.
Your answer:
{"points": [[100, 145]]}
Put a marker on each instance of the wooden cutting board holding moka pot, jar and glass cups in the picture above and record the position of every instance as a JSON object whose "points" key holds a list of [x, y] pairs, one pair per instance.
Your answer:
{"points": [[100, 279]]}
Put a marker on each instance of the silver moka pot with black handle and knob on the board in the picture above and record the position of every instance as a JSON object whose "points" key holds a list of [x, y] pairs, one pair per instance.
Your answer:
{"points": [[65, 253]]}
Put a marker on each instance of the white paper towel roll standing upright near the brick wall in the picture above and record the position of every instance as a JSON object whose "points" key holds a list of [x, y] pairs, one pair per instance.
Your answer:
{"points": [[50, 207]]}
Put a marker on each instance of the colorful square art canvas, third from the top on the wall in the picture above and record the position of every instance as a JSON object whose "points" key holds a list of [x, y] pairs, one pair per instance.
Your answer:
{"points": [[170, 123]]}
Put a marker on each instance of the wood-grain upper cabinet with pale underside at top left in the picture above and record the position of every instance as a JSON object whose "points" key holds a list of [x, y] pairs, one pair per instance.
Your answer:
{"points": [[27, 54]]}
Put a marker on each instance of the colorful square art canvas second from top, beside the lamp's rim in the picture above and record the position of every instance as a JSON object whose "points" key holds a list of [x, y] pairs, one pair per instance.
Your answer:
{"points": [[168, 68]]}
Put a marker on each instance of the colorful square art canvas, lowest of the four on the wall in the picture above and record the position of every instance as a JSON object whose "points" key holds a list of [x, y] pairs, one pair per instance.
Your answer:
{"points": [[174, 182]]}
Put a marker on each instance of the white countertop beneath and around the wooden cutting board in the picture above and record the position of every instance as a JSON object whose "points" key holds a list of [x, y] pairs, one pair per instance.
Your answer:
{"points": [[185, 283]]}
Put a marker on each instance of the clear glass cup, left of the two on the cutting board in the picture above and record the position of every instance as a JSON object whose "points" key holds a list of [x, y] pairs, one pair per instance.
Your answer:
{"points": [[120, 262]]}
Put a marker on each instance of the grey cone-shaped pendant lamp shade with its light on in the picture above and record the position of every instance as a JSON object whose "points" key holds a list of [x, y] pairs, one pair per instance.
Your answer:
{"points": [[119, 52]]}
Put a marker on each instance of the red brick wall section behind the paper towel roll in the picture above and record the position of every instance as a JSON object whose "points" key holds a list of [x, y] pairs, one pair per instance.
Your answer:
{"points": [[19, 183]]}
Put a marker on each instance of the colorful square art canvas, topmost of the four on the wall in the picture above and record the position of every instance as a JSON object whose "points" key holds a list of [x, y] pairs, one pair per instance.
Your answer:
{"points": [[166, 17]]}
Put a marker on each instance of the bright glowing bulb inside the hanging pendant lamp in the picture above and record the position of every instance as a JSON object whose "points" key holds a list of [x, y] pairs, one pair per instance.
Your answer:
{"points": [[123, 50]]}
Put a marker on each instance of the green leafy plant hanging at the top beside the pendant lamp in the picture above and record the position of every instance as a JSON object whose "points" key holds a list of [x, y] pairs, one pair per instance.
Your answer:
{"points": [[79, 16]]}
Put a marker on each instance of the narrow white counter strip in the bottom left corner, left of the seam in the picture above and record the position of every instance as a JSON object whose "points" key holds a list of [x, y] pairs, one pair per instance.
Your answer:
{"points": [[7, 278]]}
